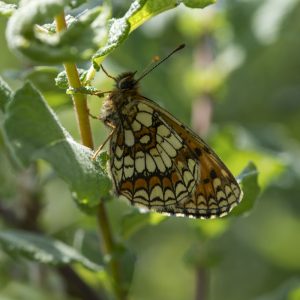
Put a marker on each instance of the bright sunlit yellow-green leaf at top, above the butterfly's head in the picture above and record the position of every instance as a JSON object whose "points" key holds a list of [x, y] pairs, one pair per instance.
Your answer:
{"points": [[139, 12]]}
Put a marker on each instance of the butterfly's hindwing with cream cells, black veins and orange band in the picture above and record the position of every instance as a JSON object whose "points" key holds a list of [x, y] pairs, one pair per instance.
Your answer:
{"points": [[149, 164]]}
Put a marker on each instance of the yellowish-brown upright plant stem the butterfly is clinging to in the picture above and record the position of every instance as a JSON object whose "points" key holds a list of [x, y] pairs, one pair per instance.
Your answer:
{"points": [[81, 109]]}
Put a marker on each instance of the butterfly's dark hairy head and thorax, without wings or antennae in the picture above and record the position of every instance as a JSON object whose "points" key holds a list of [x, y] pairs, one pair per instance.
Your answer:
{"points": [[126, 88]]}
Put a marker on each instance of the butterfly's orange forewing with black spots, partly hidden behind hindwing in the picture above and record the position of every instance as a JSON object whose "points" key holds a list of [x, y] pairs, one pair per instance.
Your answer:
{"points": [[218, 191]]}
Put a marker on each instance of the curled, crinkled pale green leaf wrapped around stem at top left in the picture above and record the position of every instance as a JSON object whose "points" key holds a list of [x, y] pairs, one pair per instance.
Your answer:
{"points": [[78, 42]]}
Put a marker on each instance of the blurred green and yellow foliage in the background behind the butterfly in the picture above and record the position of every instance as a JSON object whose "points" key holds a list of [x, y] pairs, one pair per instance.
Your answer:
{"points": [[238, 84]]}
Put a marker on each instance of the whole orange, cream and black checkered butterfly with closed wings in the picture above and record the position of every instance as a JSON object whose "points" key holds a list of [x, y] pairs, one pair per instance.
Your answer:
{"points": [[158, 163]]}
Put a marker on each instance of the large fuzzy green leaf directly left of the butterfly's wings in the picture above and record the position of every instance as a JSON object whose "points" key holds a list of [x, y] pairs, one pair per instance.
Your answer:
{"points": [[33, 132]]}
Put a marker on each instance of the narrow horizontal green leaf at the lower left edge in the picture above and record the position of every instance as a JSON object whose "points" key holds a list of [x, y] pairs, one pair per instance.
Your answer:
{"points": [[42, 249]]}
